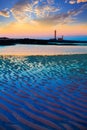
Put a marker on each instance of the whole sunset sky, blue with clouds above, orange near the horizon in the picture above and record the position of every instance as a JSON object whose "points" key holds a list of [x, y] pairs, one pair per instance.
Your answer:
{"points": [[39, 18]]}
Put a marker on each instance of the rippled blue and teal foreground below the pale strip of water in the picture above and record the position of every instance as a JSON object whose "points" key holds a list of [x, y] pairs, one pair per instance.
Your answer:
{"points": [[43, 92]]}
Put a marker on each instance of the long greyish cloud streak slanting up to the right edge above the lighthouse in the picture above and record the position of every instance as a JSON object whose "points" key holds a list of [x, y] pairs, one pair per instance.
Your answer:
{"points": [[62, 18]]}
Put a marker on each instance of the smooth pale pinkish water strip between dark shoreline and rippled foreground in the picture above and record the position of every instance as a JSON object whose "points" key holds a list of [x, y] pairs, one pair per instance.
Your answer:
{"points": [[28, 50]]}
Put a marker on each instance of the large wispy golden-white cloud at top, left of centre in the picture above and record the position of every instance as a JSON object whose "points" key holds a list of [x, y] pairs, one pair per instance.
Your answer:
{"points": [[28, 10]]}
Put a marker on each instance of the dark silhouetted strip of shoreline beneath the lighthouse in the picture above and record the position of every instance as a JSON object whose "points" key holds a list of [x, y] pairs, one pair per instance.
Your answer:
{"points": [[8, 41]]}
